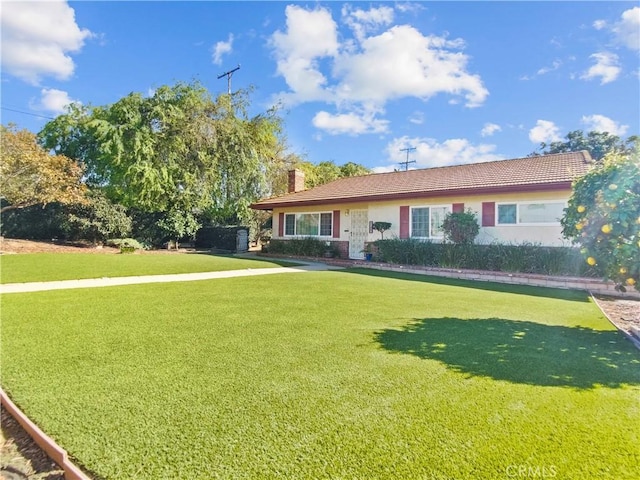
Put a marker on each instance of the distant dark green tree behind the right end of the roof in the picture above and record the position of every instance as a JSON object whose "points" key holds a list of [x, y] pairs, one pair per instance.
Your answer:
{"points": [[598, 144]]}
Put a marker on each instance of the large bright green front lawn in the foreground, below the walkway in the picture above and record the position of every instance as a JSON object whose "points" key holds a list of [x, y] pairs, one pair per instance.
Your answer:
{"points": [[342, 374]]}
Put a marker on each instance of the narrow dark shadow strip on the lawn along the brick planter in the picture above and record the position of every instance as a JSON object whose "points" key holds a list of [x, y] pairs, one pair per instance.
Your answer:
{"points": [[563, 294]]}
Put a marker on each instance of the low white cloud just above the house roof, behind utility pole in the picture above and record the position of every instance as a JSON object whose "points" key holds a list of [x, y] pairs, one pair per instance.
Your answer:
{"points": [[430, 153]]}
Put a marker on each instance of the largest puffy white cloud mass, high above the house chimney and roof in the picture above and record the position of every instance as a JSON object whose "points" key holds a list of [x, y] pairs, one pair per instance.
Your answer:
{"points": [[367, 71]]}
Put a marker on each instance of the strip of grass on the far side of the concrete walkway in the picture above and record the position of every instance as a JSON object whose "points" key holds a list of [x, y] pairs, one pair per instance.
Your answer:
{"points": [[42, 267]]}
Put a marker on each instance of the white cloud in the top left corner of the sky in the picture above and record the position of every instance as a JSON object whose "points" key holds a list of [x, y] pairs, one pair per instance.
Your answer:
{"points": [[37, 38]]}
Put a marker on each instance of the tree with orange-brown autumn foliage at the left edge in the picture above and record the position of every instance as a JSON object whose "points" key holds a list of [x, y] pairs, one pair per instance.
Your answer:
{"points": [[31, 176]]}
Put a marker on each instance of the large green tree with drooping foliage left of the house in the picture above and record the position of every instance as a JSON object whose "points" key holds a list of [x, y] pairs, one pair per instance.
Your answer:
{"points": [[178, 152]]}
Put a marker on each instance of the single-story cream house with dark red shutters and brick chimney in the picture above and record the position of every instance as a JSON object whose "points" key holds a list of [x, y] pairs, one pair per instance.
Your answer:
{"points": [[516, 201]]}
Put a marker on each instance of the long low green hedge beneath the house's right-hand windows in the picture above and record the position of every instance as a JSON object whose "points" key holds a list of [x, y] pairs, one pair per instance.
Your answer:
{"points": [[521, 258]]}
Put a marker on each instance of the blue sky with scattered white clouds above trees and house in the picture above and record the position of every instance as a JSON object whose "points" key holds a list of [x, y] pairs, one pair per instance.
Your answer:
{"points": [[460, 82]]}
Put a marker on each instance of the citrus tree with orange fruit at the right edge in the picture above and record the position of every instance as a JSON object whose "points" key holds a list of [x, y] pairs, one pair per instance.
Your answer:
{"points": [[603, 216]]}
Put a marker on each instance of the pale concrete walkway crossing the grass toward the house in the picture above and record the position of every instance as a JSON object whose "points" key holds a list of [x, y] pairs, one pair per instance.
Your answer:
{"points": [[176, 277]]}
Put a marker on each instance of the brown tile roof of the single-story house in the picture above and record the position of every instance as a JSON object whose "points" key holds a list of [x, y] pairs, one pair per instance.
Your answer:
{"points": [[542, 172]]}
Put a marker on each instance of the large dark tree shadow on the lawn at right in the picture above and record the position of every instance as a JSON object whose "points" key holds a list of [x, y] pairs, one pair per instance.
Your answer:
{"points": [[520, 351]]}
